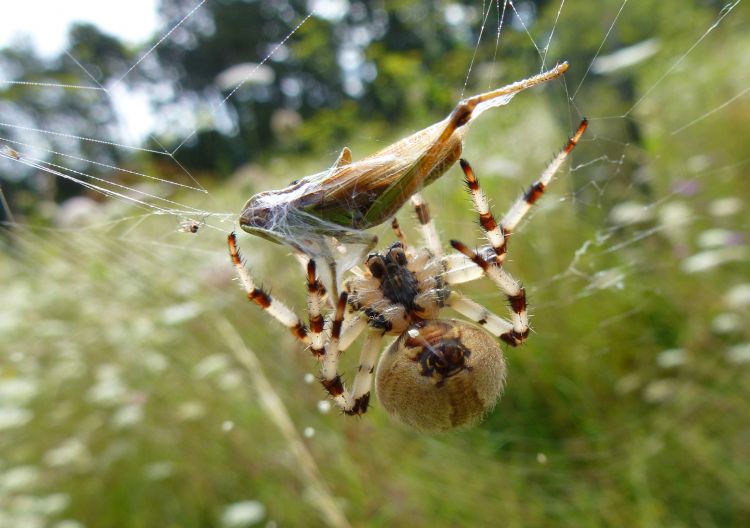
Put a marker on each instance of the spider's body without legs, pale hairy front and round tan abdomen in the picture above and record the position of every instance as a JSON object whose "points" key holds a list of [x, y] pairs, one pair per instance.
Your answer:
{"points": [[427, 378]]}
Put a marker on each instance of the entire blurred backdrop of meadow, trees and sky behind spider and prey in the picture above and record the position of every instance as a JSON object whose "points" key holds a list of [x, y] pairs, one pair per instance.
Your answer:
{"points": [[138, 387]]}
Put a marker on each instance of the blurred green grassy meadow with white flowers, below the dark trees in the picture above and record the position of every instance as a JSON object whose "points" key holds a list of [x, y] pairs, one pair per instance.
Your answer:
{"points": [[139, 388]]}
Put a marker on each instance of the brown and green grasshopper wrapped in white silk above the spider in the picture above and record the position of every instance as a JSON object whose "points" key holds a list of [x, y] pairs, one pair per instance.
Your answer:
{"points": [[324, 216]]}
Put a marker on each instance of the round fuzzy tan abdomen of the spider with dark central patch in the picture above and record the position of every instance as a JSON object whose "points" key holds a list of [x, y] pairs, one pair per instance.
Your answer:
{"points": [[449, 375]]}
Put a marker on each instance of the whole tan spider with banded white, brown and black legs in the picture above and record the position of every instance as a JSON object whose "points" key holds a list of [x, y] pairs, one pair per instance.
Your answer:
{"points": [[438, 374]]}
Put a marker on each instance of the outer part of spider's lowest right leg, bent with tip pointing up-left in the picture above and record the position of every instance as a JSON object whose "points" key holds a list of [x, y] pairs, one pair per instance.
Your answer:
{"points": [[509, 286]]}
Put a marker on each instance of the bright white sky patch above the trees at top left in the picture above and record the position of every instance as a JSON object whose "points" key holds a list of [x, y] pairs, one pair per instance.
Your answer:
{"points": [[46, 22]]}
